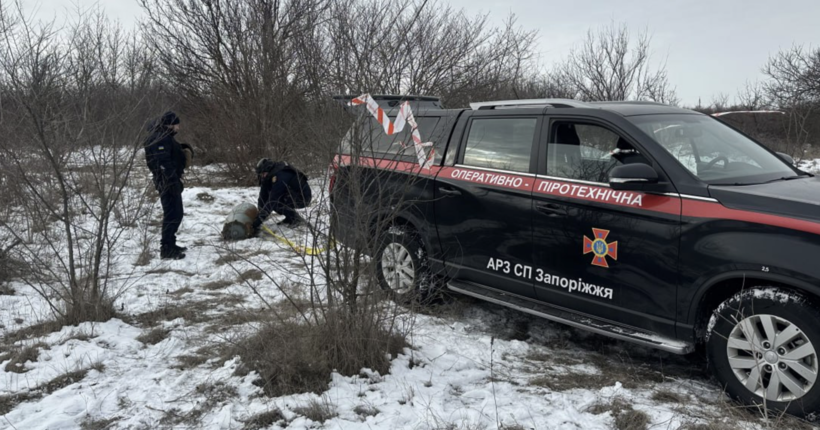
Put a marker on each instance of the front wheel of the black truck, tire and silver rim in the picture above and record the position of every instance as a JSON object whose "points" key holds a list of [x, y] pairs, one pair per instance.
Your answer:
{"points": [[759, 323]]}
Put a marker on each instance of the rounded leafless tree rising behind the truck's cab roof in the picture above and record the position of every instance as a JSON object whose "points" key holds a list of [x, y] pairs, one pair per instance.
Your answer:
{"points": [[610, 65]]}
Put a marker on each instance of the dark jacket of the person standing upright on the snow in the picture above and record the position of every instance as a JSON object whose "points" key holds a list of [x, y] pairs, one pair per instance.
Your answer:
{"points": [[165, 158]]}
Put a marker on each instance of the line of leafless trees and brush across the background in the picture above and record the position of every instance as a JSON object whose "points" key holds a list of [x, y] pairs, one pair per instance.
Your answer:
{"points": [[254, 78]]}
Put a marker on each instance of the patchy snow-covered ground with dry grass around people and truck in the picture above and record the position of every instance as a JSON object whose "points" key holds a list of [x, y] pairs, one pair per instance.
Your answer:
{"points": [[471, 365]]}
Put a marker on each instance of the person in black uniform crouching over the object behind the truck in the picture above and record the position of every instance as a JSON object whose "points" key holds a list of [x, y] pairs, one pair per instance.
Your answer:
{"points": [[283, 189]]}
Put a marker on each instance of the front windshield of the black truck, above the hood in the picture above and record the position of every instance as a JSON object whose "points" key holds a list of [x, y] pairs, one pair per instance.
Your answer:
{"points": [[712, 151]]}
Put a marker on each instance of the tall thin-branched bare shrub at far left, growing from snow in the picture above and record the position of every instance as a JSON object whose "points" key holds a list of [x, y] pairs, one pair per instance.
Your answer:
{"points": [[74, 101]]}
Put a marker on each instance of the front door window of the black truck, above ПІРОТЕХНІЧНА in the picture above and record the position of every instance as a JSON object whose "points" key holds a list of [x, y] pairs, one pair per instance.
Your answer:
{"points": [[587, 152]]}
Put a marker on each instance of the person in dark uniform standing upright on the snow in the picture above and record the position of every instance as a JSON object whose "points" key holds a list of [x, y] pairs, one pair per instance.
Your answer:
{"points": [[167, 159]]}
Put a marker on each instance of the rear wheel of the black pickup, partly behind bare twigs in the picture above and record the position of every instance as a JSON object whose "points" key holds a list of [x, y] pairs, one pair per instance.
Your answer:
{"points": [[404, 244]]}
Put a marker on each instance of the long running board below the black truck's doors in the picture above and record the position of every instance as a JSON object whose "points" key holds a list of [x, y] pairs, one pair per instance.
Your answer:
{"points": [[565, 317]]}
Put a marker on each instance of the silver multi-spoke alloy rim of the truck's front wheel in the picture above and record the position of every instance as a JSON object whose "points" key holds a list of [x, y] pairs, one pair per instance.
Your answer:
{"points": [[772, 358]]}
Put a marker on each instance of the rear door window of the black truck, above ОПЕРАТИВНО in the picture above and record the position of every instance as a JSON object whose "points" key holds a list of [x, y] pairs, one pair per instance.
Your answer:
{"points": [[500, 143]]}
